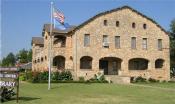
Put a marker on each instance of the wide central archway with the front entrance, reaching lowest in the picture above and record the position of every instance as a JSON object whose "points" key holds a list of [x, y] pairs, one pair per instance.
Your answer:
{"points": [[110, 65]]}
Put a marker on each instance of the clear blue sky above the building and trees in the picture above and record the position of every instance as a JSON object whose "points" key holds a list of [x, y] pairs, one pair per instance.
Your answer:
{"points": [[23, 19]]}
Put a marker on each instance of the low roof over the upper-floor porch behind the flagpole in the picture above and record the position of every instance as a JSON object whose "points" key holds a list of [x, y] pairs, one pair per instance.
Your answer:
{"points": [[56, 30]]}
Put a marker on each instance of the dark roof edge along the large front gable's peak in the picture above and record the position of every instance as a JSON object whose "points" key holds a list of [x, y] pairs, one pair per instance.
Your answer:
{"points": [[114, 10]]}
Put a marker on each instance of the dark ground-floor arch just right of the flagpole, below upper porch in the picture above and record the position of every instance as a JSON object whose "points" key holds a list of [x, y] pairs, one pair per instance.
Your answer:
{"points": [[59, 62]]}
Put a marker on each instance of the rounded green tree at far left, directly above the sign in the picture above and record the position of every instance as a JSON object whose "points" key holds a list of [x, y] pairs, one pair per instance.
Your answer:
{"points": [[9, 61]]}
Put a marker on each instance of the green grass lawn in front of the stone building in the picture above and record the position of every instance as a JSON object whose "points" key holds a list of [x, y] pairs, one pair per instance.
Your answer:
{"points": [[74, 93]]}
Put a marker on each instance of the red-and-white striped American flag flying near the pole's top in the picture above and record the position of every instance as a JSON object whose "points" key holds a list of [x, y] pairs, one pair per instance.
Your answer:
{"points": [[59, 16]]}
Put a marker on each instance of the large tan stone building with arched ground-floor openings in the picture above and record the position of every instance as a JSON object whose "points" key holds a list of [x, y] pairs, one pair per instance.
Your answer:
{"points": [[119, 43]]}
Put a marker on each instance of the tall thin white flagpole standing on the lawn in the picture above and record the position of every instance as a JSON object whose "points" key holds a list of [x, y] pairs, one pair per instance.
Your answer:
{"points": [[50, 44]]}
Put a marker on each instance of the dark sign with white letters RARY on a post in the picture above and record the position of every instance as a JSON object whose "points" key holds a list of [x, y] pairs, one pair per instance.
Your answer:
{"points": [[10, 78]]}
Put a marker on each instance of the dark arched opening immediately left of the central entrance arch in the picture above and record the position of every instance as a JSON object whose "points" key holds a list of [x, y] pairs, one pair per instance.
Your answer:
{"points": [[86, 62]]}
